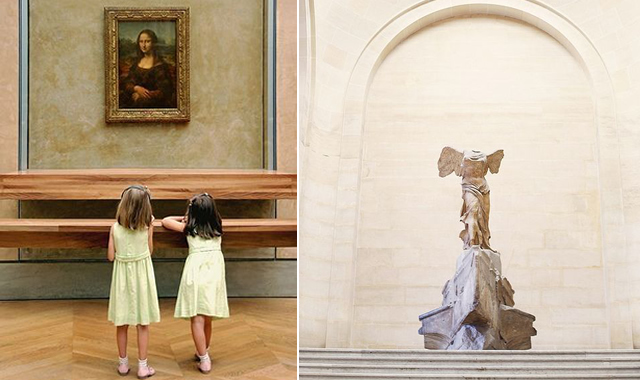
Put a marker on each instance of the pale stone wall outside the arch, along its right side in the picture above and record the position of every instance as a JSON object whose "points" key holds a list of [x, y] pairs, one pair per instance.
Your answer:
{"points": [[614, 28]]}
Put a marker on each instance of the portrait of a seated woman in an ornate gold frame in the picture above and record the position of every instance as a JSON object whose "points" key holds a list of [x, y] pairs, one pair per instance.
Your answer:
{"points": [[147, 65]]}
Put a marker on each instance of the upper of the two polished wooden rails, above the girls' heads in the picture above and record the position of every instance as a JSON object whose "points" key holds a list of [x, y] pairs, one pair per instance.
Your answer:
{"points": [[95, 184]]}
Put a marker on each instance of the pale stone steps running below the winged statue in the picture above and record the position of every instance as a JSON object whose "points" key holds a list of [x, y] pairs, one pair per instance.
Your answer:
{"points": [[433, 364]]}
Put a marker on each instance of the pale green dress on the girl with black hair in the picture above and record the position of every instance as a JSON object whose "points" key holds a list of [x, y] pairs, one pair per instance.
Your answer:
{"points": [[203, 289]]}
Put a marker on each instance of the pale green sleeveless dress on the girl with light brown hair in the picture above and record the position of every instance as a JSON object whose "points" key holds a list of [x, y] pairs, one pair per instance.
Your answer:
{"points": [[133, 299]]}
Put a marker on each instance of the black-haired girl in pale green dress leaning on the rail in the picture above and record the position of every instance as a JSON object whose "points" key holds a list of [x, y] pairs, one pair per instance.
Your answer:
{"points": [[203, 292]]}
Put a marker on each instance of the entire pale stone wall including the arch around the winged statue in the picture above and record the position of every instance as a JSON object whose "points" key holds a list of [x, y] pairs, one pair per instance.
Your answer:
{"points": [[581, 279]]}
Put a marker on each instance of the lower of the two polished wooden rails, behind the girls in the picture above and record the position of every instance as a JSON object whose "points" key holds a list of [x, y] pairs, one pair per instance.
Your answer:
{"points": [[93, 233]]}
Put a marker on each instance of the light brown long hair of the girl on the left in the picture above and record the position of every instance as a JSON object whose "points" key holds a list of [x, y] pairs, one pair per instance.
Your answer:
{"points": [[134, 210]]}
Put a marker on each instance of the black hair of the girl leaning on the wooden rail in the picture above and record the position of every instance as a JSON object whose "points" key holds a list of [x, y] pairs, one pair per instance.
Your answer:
{"points": [[203, 218]]}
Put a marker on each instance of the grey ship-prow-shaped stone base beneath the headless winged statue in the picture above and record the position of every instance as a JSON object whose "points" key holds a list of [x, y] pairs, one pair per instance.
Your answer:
{"points": [[477, 312]]}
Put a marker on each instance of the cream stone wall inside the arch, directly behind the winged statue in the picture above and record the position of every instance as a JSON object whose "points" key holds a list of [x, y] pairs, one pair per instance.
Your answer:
{"points": [[480, 83]]}
